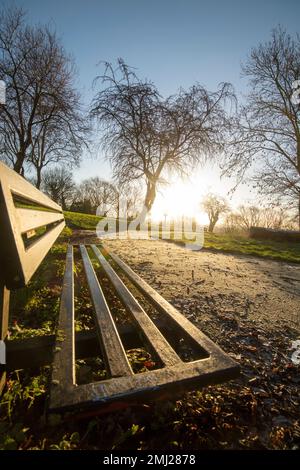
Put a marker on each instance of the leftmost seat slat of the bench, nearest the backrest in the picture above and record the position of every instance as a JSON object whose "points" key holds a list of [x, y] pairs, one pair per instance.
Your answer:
{"points": [[63, 372]]}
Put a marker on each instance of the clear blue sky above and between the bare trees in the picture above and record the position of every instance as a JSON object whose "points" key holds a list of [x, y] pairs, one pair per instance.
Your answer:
{"points": [[172, 42]]}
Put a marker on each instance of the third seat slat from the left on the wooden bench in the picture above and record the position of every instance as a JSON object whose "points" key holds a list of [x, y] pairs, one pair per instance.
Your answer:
{"points": [[156, 340]]}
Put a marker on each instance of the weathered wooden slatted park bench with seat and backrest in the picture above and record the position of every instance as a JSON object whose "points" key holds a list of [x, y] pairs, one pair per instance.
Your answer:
{"points": [[20, 256]]}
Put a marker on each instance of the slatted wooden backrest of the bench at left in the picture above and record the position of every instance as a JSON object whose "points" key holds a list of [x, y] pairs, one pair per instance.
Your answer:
{"points": [[24, 212]]}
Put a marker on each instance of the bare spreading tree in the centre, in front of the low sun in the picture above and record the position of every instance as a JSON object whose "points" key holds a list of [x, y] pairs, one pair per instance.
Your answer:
{"points": [[145, 136]]}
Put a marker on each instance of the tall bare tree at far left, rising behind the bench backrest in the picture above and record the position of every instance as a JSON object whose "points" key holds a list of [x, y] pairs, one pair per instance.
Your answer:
{"points": [[41, 102]]}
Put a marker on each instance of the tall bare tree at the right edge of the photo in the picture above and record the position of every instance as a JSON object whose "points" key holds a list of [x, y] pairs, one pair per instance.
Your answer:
{"points": [[267, 131]]}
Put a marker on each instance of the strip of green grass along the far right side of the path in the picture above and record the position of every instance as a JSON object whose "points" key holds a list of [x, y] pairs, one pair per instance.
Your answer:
{"points": [[282, 251]]}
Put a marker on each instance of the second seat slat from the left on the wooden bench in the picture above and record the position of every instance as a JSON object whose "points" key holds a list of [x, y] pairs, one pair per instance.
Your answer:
{"points": [[112, 348]]}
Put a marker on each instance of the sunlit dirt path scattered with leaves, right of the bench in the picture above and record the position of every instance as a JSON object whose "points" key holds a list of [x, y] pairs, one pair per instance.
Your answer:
{"points": [[204, 284]]}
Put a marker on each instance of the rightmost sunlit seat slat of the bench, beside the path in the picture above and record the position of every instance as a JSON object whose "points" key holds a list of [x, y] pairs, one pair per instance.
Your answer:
{"points": [[166, 308]]}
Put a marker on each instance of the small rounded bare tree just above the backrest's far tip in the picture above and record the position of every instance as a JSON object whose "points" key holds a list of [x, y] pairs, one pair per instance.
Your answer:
{"points": [[59, 185]]}
